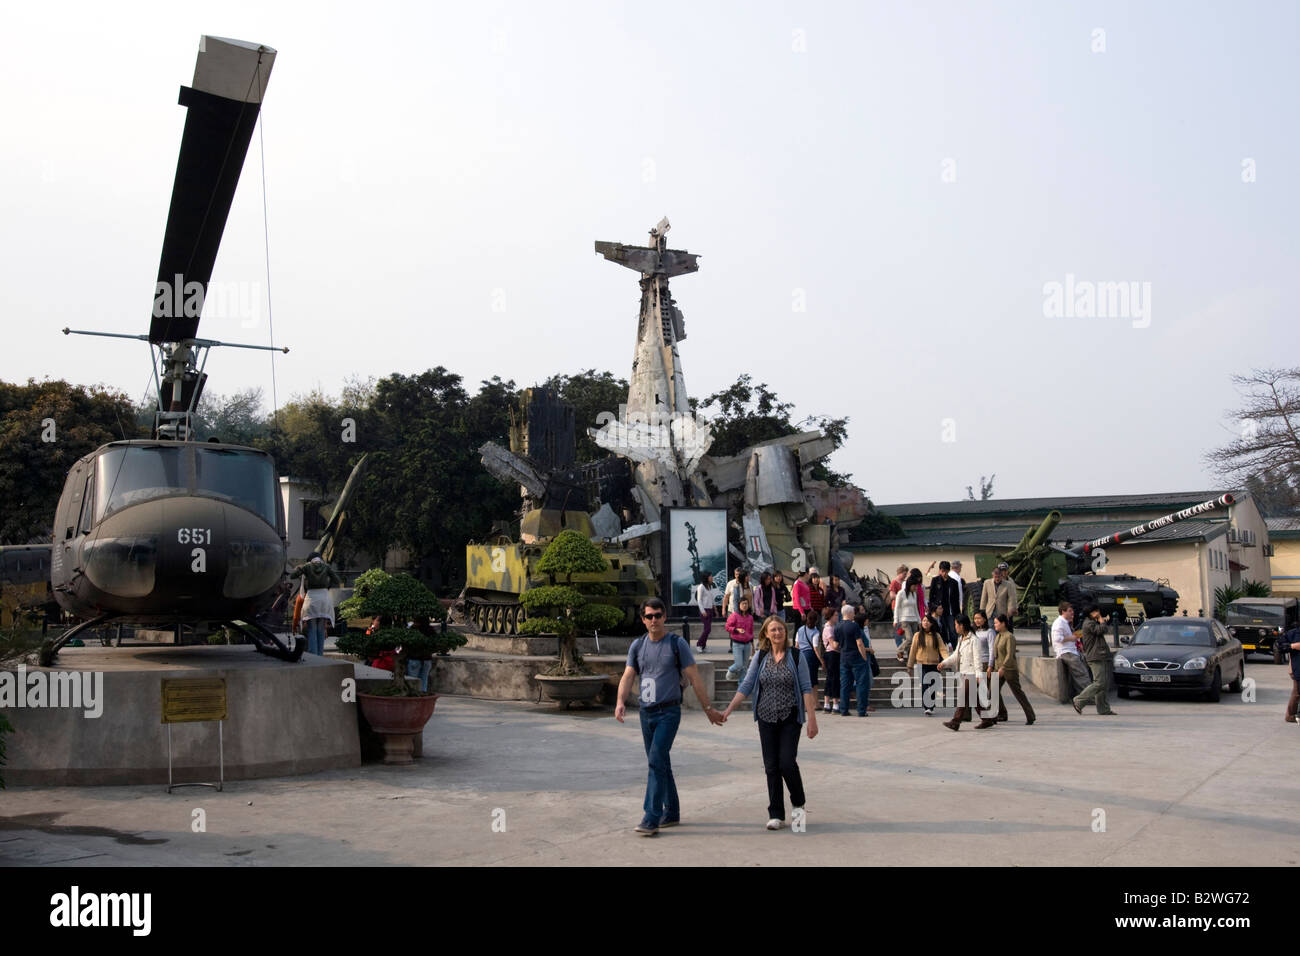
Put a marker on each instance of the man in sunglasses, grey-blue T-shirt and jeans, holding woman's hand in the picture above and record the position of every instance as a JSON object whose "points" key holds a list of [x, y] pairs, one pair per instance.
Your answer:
{"points": [[665, 665]]}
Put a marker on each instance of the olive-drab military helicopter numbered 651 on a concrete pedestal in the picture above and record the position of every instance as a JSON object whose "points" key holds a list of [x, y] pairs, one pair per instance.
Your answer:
{"points": [[171, 531]]}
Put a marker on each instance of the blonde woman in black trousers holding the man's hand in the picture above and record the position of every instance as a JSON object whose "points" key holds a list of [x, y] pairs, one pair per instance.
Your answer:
{"points": [[778, 677]]}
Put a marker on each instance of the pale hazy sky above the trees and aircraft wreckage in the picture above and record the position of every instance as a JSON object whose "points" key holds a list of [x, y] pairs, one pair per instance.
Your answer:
{"points": [[881, 194]]}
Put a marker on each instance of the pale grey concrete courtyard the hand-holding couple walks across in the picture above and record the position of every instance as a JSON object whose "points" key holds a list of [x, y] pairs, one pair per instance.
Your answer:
{"points": [[1164, 782]]}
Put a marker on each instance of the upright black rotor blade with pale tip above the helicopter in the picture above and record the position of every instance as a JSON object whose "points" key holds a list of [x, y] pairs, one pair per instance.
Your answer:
{"points": [[223, 106]]}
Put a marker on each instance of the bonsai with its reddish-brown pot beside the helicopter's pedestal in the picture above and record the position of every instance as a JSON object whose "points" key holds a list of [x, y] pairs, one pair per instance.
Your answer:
{"points": [[400, 711]]}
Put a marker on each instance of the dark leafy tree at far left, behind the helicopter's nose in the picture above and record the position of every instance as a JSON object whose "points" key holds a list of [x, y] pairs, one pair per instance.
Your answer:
{"points": [[45, 429]]}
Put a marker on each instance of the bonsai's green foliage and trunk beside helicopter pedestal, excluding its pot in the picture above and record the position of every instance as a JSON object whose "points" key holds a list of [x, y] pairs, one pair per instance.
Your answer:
{"points": [[396, 600]]}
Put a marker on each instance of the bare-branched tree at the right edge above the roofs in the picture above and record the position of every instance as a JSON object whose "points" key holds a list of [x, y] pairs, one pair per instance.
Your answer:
{"points": [[1268, 444]]}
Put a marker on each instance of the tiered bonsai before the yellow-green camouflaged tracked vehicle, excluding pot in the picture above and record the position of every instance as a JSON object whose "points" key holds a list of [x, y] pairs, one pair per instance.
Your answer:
{"points": [[564, 609]]}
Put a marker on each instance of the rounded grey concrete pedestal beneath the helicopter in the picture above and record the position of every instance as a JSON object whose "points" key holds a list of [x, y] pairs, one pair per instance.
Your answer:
{"points": [[284, 719]]}
